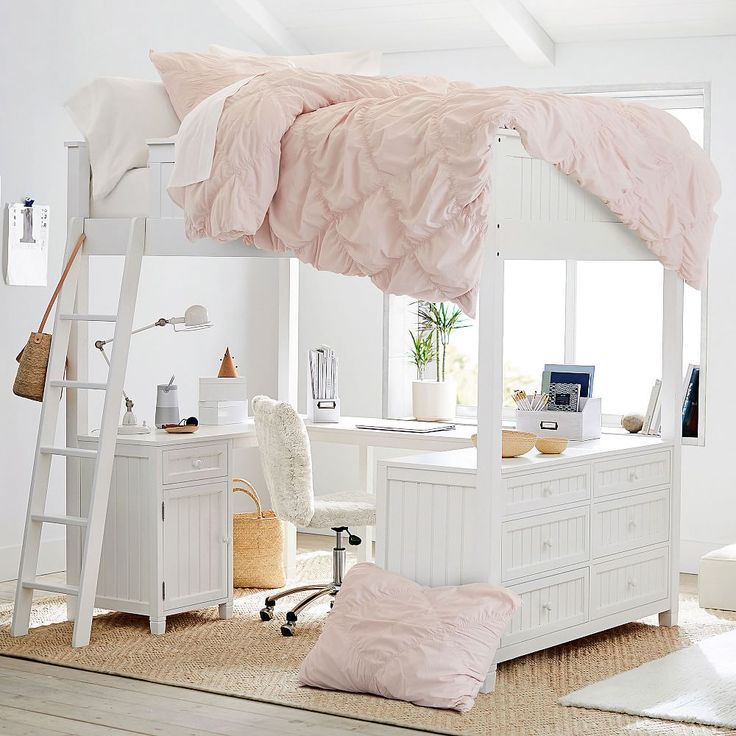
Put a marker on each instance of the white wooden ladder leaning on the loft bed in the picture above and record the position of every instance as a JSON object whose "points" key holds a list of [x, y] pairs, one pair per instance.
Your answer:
{"points": [[94, 524]]}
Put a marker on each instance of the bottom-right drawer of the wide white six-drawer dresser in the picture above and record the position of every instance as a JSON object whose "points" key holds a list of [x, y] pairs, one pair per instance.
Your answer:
{"points": [[629, 581]]}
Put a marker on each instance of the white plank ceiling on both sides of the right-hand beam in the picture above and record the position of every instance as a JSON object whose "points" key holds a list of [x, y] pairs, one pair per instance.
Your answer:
{"points": [[414, 25]]}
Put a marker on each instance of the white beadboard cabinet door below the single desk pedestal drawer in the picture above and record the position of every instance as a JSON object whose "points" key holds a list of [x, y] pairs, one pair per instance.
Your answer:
{"points": [[195, 542]]}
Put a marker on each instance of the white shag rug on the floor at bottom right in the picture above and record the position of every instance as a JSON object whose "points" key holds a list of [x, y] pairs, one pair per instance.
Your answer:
{"points": [[694, 685]]}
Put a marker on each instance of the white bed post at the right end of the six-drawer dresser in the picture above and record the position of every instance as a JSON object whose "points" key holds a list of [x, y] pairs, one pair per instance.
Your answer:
{"points": [[672, 309]]}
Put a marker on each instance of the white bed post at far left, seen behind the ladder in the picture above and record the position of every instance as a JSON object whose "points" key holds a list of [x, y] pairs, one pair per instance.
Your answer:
{"points": [[77, 407]]}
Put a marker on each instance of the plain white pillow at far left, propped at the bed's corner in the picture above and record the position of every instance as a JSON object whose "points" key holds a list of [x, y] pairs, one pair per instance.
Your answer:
{"points": [[116, 116]]}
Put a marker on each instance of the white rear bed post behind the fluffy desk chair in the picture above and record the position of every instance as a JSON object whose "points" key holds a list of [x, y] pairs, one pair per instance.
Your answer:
{"points": [[288, 366]]}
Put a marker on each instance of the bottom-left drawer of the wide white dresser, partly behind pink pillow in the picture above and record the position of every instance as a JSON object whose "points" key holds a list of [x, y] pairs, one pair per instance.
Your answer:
{"points": [[548, 605]]}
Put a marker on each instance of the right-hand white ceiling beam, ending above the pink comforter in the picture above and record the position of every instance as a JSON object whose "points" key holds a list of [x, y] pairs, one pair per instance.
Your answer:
{"points": [[519, 29]]}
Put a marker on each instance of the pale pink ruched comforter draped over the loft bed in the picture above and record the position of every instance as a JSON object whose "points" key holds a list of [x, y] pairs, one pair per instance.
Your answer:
{"points": [[389, 177]]}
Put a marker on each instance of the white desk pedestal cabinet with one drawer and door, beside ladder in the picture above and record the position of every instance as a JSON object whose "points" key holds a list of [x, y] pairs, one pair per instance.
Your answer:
{"points": [[167, 544]]}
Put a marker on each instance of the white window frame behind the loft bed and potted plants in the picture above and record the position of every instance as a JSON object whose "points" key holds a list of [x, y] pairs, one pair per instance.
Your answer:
{"points": [[666, 96]]}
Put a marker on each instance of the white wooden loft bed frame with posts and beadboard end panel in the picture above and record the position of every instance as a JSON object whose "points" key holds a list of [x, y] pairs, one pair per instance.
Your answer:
{"points": [[535, 213]]}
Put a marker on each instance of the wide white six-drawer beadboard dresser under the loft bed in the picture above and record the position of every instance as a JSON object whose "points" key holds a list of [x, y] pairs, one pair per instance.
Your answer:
{"points": [[583, 538]]}
